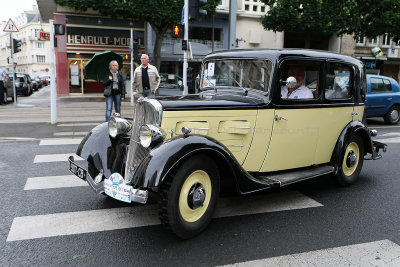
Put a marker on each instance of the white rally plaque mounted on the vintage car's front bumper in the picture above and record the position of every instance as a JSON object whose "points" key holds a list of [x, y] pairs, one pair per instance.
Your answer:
{"points": [[116, 188]]}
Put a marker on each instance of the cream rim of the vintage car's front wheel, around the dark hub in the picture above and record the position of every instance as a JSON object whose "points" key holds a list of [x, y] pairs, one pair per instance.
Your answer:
{"points": [[195, 179]]}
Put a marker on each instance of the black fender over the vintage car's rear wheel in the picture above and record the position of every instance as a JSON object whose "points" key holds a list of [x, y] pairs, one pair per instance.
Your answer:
{"points": [[354, 127]]}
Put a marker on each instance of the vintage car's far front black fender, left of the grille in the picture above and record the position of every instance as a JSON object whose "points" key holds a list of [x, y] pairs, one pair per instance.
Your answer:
{"points": [[103, 152]]}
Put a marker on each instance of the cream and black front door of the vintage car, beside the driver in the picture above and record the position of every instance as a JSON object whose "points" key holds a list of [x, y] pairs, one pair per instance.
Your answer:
{"points": [[296, 120]]}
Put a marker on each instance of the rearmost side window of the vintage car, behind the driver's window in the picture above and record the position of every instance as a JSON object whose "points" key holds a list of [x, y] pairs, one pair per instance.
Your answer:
{"points": [[338, 82]]}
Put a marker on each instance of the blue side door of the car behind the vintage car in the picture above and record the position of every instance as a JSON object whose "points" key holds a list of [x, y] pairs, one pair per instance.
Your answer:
{"points": [[379, 95]]}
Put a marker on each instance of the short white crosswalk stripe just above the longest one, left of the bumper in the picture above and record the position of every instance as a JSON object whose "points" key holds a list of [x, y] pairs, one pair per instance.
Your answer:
{"points": [[46, 182]]}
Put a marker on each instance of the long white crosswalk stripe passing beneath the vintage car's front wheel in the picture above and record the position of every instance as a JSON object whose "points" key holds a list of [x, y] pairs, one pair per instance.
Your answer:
{"points": [[69, 223]]}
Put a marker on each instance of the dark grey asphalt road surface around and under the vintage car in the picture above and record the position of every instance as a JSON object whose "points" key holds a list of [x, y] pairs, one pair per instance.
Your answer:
{"points": [[344, 216]]}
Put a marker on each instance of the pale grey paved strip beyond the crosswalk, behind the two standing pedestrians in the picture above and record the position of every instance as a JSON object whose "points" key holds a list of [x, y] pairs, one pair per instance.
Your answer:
{"points": [[36, 108]]}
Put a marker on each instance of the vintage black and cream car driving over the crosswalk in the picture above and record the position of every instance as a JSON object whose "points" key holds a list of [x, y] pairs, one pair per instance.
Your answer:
{"points": [[242, 129]]}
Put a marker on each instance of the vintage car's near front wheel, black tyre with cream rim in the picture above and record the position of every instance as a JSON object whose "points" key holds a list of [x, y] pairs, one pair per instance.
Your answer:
{"points": [[188, 199]]}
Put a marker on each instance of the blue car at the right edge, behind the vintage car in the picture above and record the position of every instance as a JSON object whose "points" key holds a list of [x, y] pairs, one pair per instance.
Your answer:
{"points": [[383, 98]]}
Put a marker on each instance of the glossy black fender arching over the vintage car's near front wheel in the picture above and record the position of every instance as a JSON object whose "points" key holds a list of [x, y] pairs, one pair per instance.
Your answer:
{"points": [[166, 157]]}
